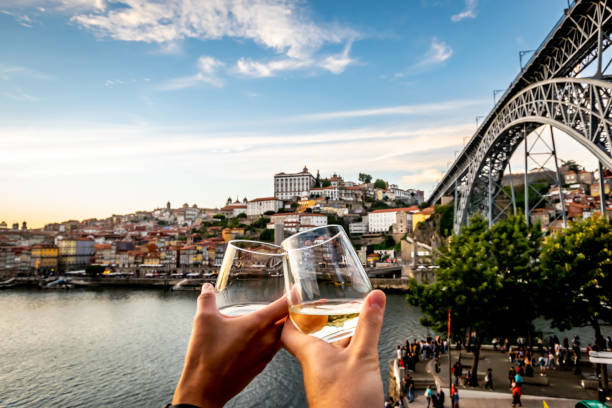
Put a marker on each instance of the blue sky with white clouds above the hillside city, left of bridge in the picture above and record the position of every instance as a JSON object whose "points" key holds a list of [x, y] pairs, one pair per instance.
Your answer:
{"points": [[109, 107]]}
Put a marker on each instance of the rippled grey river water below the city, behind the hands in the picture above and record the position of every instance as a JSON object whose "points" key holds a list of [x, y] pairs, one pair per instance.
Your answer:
{"points": [[125, 348]]}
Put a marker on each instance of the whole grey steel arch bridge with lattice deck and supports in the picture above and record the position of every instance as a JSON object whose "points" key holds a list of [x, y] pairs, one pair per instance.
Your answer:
{"points": [[546, 92]]}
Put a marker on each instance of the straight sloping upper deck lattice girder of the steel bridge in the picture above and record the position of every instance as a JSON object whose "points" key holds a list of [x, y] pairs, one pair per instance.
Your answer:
{"points": [[570, 47]]}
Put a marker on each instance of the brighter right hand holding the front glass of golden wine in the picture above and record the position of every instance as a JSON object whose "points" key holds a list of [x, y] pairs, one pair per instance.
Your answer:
{"points": [[345, 373]]}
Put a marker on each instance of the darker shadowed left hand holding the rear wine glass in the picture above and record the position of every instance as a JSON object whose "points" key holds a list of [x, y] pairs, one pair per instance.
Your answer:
{"points": [[226, 352]]}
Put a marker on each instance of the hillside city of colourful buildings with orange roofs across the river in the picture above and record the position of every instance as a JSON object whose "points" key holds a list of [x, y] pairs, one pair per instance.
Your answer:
{"points": [[387, 224]]}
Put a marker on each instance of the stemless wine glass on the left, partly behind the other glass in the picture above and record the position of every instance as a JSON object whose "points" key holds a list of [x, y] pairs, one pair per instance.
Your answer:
{"points": [[251, 277]]}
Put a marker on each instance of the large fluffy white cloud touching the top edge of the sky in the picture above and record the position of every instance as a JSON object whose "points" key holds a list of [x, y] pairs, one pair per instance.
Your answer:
{"points": [[277, 24]]}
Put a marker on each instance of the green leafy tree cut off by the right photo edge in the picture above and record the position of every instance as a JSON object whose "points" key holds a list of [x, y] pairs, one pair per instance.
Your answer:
{"points": [[577, 265]]}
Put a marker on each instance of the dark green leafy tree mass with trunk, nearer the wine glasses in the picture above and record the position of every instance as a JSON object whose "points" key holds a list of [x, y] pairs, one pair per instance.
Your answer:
{"points": [[488, 279]]}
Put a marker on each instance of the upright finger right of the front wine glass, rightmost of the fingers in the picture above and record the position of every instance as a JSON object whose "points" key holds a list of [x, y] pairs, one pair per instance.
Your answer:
{"points": [[370, 322]]}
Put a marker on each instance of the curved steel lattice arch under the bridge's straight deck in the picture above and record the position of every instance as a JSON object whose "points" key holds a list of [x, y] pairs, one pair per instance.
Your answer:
{"points": [[581, 108]]}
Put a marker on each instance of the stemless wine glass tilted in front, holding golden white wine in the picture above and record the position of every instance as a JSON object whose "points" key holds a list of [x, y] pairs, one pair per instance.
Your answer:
{"points": [[325, 282]]}
